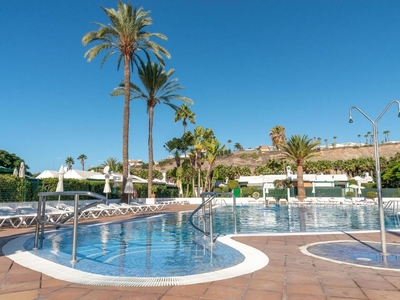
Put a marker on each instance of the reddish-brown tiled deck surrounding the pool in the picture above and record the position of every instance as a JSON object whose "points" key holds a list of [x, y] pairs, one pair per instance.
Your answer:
{"points": [[289, 275]]}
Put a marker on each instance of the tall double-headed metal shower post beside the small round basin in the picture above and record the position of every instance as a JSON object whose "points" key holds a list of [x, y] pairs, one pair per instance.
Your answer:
{"points": [[377, 167]]}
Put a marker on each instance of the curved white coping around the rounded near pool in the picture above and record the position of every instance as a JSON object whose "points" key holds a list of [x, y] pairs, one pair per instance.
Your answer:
{"points": [[253, 261]]}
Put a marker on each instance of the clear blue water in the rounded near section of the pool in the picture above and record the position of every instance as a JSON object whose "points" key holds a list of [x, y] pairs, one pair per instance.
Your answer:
{"points": [[153, 247]]}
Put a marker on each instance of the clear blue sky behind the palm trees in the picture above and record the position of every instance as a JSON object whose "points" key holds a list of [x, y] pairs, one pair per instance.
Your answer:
{"points": [[247, 65]]}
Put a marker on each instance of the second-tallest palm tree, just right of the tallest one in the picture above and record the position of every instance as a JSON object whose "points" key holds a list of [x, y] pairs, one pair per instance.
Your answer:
{"points": [[160, 89]]}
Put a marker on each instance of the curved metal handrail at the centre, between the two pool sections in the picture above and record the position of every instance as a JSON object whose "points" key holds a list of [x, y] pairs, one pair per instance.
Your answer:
{"points": [[212, 196]]}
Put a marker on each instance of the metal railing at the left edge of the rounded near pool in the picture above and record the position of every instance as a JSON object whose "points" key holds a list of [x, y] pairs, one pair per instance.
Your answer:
{"points": [[42, 220]]}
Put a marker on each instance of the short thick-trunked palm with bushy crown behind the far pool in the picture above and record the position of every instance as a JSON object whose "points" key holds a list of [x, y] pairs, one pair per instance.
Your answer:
{"points": [[299, 149]]}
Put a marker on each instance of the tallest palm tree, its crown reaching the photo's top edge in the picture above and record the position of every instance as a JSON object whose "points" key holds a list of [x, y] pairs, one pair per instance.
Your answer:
{"points": [[125, 35]]}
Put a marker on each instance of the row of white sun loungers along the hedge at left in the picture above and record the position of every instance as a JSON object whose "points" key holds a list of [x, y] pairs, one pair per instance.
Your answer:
{"points": [[26, 216]]}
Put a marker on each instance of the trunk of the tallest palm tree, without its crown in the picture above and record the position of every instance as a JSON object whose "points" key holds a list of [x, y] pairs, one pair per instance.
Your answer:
{"points": [[125, 131]]}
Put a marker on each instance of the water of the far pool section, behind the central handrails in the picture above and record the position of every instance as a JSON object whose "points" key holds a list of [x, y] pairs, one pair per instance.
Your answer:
{"points": [[303, 218]]}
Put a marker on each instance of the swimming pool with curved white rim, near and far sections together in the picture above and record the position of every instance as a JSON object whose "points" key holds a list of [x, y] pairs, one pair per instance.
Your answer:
{"points": [[168, 247]]}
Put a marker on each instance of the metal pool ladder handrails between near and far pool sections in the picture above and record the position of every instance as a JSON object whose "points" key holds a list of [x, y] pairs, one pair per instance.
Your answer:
{"points": [[210, 198]]}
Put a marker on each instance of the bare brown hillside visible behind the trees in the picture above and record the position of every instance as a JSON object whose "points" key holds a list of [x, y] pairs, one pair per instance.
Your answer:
{"points": [[253, 158]]}
